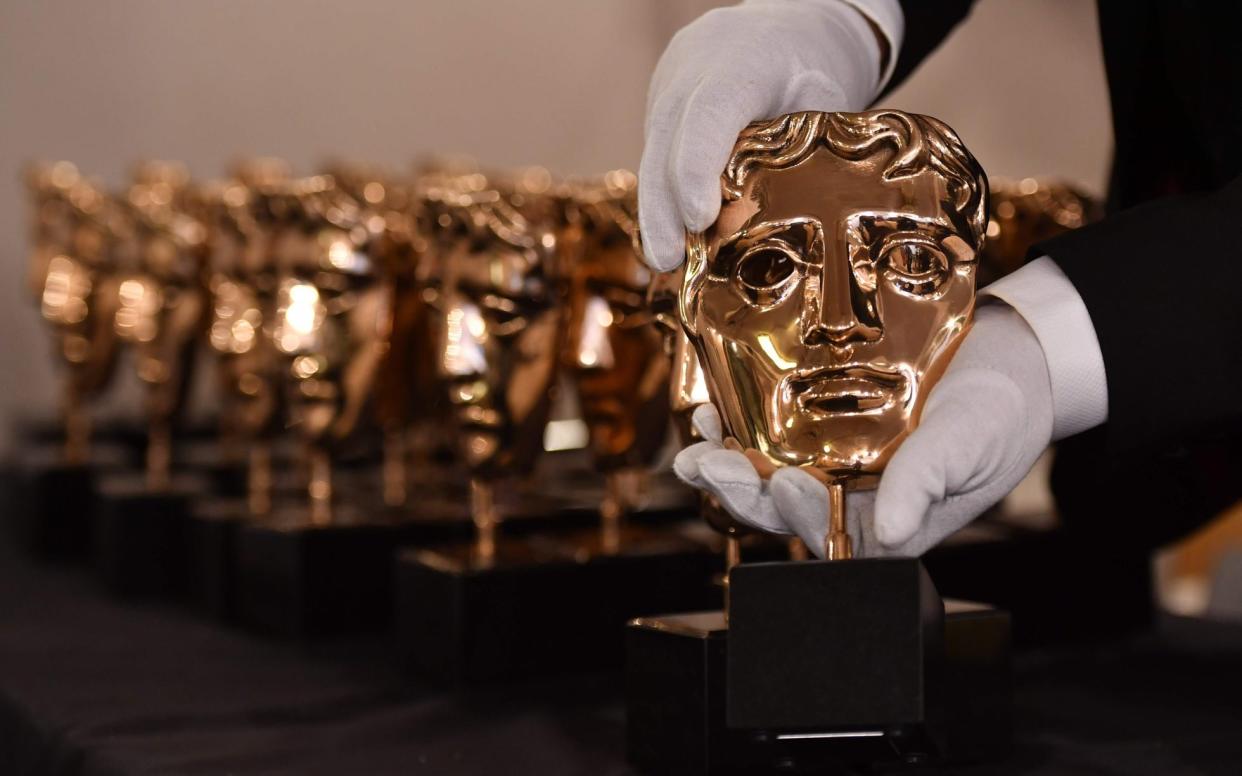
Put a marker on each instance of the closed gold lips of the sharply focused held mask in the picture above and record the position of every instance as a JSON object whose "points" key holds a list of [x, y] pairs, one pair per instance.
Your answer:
{"points": [[859, 389]]}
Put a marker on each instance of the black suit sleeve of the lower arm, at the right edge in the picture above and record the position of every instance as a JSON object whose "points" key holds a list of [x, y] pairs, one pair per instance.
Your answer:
{"points": [[1161, 282]]}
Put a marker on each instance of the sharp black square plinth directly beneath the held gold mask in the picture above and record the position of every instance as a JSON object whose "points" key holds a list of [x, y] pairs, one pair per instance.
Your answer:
{"points": [[832, 646]]}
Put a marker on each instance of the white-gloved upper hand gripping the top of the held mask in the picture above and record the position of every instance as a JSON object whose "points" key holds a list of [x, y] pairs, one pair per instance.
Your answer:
{"points": [[727, 69]]}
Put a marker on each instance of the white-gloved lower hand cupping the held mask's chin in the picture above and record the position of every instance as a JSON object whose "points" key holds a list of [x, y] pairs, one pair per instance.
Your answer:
{"points": [[983, 429]]}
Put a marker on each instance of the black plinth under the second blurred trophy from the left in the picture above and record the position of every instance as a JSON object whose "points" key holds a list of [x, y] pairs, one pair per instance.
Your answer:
{"points": [[140, 535]]}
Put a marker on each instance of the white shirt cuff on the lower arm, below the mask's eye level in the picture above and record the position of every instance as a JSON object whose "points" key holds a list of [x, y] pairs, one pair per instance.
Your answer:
{"points": [[1050, 304]]}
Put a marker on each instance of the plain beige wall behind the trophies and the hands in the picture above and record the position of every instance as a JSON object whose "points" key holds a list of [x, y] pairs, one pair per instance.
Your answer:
{"points": [[560, 83]]}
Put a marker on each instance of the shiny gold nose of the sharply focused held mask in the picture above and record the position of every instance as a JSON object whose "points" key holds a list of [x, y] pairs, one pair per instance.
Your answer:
{"points": [[838, 311]]}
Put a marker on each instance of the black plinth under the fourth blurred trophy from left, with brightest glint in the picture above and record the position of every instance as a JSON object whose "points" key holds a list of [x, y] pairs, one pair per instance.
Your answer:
{"points": [[296, 579]]}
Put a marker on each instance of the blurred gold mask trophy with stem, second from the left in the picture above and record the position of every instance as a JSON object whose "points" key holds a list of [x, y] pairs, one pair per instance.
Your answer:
{"points": [[163, 302]]}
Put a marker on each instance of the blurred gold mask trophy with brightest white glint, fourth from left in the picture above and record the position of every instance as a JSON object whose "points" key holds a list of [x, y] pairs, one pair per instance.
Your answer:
{"points": [[332, 322]]}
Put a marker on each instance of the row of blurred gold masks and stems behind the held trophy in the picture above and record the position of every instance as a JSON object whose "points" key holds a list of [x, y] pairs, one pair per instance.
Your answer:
{"points": [[355, 299]]}
